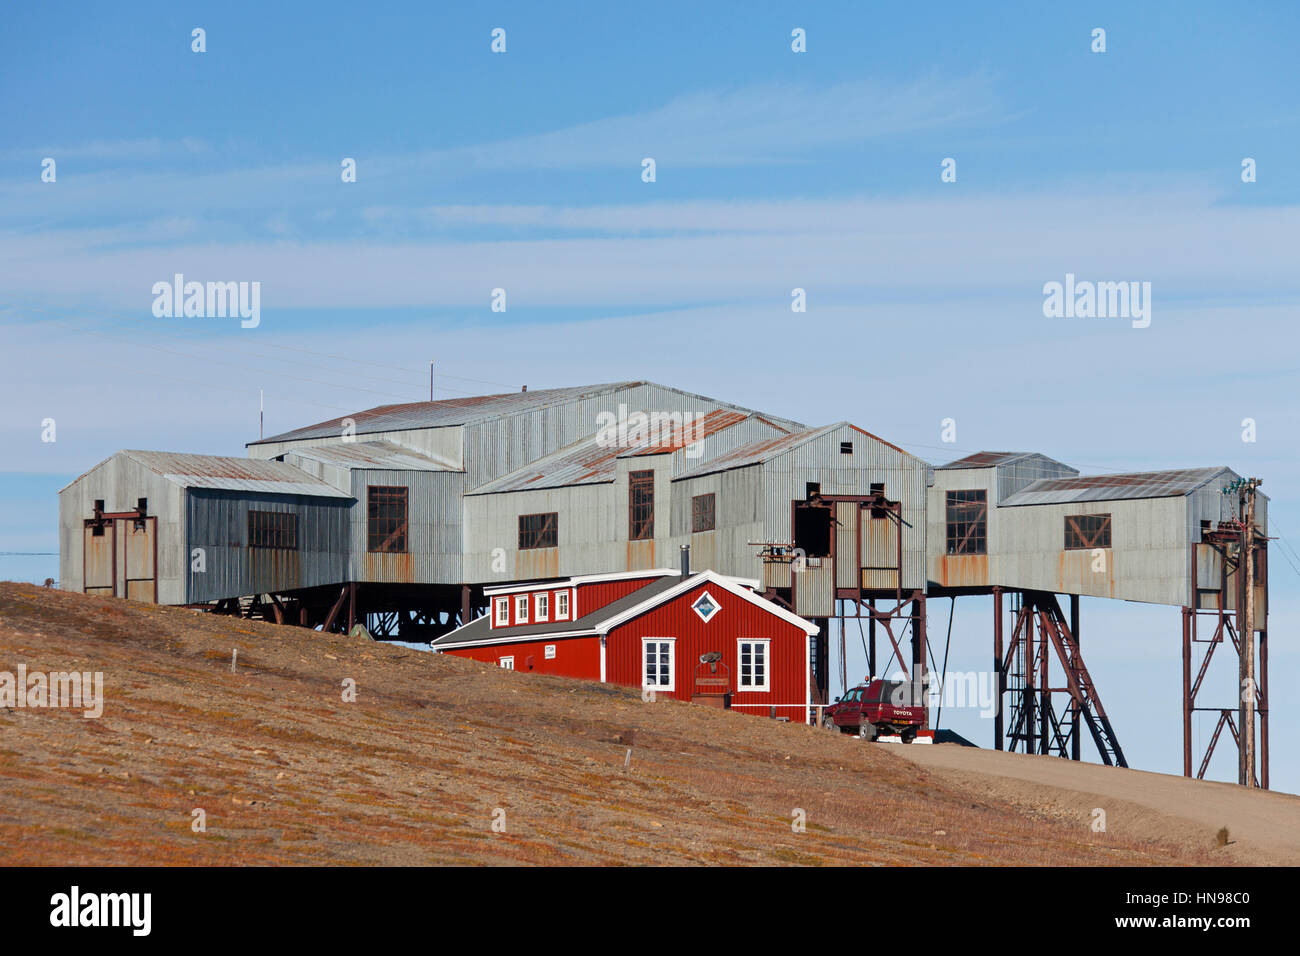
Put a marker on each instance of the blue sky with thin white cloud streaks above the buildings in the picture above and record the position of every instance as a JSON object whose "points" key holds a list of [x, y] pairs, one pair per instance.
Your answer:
{"points": [[774, 171]]}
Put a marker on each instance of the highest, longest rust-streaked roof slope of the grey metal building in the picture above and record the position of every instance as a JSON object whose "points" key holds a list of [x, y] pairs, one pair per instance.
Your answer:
{"points": [[448, 412]]}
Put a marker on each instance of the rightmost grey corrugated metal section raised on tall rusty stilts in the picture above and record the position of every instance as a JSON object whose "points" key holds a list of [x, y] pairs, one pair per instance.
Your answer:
{"points": [[1026, 522]]}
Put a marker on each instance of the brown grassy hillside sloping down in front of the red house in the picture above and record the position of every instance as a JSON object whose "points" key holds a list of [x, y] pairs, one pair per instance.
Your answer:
{"points": [[436, 749]]}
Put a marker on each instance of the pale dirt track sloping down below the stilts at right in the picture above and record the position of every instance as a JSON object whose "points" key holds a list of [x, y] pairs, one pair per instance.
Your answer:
{"points": [[1264, 828]]}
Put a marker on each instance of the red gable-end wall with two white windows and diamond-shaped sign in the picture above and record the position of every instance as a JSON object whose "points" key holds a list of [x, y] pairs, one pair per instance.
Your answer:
{"points": [[691, 637]]}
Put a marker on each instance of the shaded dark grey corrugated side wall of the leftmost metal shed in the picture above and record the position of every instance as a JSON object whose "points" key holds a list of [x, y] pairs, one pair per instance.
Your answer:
{"points": [[219, 524]]}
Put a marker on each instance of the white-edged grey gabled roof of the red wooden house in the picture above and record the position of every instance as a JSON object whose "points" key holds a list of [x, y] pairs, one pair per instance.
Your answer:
{"points": [[605, 620]]}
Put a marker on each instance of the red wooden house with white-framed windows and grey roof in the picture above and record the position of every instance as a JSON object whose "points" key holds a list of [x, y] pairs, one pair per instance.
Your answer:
{"points": [[703, 637]]}
